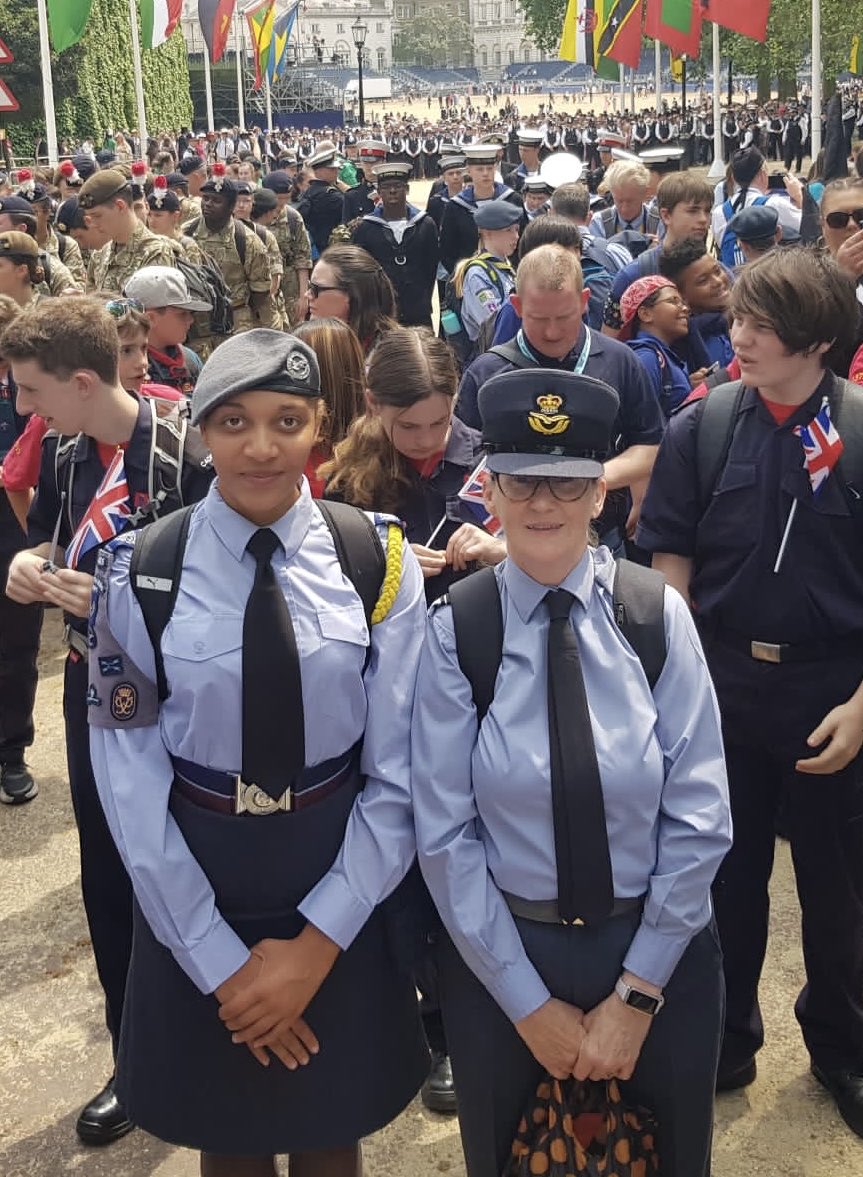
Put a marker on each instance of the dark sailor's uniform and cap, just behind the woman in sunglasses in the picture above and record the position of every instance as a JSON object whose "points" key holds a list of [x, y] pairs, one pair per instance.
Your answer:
{"points": [[408, 250]]}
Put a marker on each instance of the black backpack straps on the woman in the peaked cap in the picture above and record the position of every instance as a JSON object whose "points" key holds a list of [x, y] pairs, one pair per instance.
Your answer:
{"points": [[479, 621]]}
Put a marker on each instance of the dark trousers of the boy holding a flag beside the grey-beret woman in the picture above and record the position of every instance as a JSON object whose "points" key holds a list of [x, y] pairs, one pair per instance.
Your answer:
{"points": [[105, 886]]}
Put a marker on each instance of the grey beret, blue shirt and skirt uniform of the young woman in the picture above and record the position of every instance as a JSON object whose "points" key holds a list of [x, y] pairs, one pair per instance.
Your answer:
{"points": [[214, 872]]}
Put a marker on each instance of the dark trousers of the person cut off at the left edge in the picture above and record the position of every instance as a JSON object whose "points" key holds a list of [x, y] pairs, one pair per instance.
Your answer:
{"points": [[21, 629]]}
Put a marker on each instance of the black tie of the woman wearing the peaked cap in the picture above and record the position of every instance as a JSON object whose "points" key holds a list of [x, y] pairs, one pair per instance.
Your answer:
{"points": [[585, 885]]}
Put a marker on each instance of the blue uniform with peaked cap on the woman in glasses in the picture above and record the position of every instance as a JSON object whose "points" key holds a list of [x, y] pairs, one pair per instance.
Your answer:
{"points": [[489, 859]]}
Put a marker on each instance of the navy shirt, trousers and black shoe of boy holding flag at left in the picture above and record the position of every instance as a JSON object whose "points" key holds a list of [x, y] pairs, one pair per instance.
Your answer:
{"points": [[105, 886]]}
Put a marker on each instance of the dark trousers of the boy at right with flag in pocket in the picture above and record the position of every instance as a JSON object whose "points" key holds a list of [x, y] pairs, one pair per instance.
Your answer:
{"points": [[768, 713]]}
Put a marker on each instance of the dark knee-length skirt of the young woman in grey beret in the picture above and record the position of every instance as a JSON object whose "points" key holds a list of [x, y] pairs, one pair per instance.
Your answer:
{"points": [[182, 1079]]}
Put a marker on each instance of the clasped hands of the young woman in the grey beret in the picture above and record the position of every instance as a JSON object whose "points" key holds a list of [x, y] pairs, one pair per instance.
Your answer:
{"points": [[263, 1003]]}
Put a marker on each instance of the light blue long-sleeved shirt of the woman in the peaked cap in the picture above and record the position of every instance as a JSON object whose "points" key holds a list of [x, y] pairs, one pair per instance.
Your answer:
{"points": [[483, 800]]}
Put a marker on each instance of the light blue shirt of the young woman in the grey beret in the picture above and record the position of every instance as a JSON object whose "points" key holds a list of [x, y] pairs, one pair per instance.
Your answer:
{"points": [[202, 722]]}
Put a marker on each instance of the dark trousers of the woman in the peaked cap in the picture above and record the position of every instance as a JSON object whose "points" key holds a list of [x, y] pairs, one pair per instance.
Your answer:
{"points": [[496, 1075]]}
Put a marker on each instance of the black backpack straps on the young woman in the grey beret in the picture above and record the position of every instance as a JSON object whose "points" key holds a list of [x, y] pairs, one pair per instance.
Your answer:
{"points": [[157, 566]]}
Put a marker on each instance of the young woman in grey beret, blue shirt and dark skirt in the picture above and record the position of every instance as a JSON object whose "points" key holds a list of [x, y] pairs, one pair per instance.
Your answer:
{"points": [[250, 702]]}
